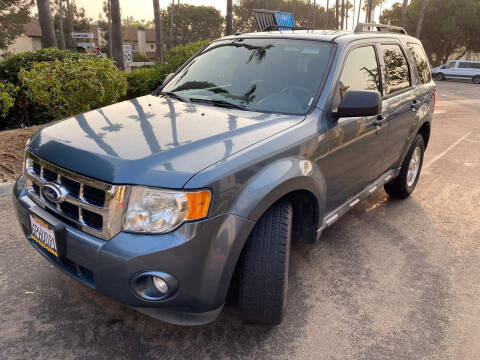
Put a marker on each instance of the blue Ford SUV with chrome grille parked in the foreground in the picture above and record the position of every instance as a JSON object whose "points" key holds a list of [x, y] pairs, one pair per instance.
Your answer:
{"points": [[174, 200]]}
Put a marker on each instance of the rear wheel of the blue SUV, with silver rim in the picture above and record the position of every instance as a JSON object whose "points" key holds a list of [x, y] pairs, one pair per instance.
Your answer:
{"points": [[404, 184]]}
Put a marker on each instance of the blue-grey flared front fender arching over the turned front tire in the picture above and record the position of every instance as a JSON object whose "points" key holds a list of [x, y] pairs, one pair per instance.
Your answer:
{"points": [[276, 180]]}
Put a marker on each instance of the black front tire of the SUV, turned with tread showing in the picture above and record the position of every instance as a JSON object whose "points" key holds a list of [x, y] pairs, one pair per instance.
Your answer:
{"points": [[263, 266]]}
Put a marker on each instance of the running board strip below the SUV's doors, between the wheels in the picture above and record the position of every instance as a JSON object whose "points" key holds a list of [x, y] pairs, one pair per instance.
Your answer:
{"points": [[333, 216]]}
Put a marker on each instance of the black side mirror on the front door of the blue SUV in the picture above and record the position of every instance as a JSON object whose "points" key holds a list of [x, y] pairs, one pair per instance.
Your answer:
{"points": [[359, 103]]}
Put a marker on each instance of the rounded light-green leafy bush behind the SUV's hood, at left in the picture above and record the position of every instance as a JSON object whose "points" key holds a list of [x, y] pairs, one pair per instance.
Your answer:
{"points": [[74, 86]]}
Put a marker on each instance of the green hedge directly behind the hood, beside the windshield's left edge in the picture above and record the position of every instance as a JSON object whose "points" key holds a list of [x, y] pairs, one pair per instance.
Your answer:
{"points": [[145, 81]]}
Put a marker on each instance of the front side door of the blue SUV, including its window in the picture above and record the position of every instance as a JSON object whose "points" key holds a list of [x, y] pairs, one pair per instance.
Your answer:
{"points": [[357, 145]]}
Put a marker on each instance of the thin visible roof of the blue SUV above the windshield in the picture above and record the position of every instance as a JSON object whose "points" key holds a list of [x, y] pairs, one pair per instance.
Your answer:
{"points": [[324, 35]]}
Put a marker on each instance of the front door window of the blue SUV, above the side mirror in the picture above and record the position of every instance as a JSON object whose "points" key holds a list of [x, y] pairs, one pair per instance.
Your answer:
{"points": [[360, 71]]}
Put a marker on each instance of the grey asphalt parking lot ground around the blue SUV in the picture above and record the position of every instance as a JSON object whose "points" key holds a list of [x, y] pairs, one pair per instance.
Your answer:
{"points": [[390, 280]]}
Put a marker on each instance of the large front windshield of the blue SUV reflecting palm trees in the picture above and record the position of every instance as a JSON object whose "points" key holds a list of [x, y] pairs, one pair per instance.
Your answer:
{"points": [[269, 75]]}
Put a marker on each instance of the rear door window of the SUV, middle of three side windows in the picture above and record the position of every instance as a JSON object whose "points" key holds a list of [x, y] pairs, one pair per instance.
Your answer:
{"points": [[396, 67]]}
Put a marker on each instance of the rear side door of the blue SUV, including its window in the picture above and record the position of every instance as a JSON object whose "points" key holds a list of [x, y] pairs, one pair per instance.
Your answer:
{"points": [[401, 97]]}
